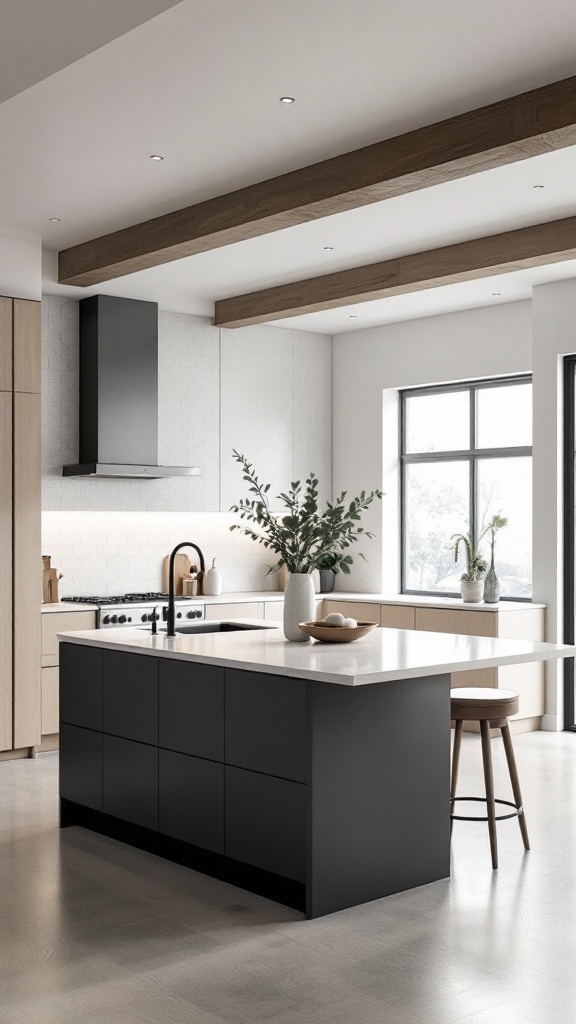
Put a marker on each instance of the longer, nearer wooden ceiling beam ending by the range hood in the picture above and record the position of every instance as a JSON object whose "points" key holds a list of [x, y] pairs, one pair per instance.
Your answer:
{"points": [[536, 122]]}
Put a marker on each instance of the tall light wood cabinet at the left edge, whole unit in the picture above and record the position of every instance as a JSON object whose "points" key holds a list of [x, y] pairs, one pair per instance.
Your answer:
{"points": [[21, 590]]}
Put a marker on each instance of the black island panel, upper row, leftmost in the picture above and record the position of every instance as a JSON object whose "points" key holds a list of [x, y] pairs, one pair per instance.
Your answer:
{"points": [[81, 686]]}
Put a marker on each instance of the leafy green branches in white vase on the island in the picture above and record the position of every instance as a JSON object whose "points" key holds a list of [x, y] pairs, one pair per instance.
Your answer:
{"points": [[304, 537]]}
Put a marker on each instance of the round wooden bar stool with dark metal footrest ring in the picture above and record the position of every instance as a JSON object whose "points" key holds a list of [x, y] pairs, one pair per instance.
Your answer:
{"points": [[492, 709]]}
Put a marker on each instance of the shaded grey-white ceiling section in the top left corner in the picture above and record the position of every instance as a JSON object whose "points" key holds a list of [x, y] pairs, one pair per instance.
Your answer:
{"points": [[40, 37]]}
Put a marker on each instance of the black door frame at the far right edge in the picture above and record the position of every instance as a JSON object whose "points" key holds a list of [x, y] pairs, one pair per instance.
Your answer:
{"points": [[569, 535]]}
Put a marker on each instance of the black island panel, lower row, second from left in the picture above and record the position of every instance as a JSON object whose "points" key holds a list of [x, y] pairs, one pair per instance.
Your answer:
{"points": [[131, 782]]}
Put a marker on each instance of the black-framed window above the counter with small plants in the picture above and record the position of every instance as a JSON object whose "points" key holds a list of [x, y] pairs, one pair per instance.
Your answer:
{"points": [[467, 455]]}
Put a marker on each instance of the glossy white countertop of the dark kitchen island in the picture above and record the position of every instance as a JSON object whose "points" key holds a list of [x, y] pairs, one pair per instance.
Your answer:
{"points": [[383, 656]]}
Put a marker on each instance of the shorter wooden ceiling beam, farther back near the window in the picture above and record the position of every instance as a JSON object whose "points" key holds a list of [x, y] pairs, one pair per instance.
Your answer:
{"points": [[527, 247]]}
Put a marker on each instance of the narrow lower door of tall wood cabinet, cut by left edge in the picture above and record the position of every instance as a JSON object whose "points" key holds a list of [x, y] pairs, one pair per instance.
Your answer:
{"points": [[7, 573]]}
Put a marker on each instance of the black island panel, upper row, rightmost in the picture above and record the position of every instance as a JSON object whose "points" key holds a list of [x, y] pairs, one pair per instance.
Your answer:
{"points": [[266, 724]]}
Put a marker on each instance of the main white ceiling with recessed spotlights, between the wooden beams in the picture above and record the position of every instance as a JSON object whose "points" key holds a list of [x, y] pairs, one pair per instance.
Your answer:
{"points": [[200, 84]]}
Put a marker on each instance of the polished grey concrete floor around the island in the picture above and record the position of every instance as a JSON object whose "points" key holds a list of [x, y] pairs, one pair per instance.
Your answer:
{"points": [[95, 932]]}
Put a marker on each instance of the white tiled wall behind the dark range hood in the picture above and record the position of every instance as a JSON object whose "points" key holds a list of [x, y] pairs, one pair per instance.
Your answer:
{"points": [[264, 391]]}
